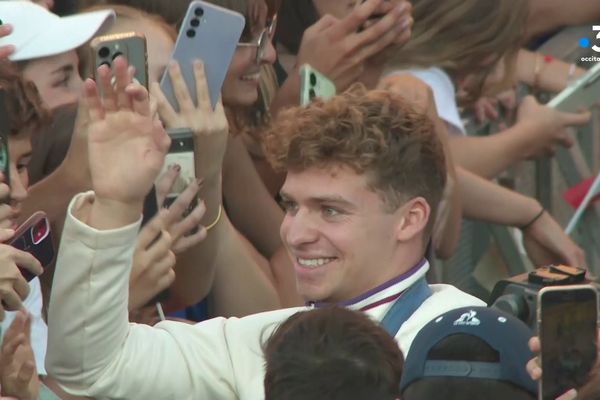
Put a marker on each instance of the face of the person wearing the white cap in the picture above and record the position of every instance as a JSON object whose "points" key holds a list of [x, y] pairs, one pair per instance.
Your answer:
{"points": [[56, 78]]}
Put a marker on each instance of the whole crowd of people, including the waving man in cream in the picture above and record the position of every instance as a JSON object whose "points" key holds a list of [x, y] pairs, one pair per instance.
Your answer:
{"points": [[298, 265]]}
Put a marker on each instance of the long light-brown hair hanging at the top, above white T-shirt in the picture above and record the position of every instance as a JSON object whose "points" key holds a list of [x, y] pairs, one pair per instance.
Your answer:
{"points": [[458, 36]]}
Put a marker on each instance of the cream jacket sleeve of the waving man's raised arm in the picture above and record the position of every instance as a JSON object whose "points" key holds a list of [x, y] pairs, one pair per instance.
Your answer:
{"points": [[94, 351]]}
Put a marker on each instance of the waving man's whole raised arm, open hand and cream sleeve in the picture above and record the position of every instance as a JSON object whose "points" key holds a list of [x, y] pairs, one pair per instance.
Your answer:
{"points": [[93, 350]]}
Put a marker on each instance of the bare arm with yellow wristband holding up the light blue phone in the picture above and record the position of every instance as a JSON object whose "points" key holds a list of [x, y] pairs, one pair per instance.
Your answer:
{"points": [[222, 248]]}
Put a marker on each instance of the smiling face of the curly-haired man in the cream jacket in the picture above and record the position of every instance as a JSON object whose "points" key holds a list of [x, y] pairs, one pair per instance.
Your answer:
{"points": [[338, 233]]}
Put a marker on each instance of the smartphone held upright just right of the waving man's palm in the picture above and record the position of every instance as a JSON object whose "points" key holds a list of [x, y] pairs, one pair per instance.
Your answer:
{"points": [[181, 152]]}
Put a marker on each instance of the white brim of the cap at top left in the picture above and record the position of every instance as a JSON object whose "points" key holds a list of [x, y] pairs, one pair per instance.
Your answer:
{"points": [[65, 34]]}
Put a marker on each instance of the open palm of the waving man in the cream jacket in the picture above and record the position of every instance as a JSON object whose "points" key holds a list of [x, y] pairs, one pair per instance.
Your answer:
{"points": [[126, 146]]}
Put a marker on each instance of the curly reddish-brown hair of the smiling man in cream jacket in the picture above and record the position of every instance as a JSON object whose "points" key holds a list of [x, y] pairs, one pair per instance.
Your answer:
{"points": [[376, 133]]}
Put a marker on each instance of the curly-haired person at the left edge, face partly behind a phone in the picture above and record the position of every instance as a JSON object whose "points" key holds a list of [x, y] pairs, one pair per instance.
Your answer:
{"points": [[25, 116]]}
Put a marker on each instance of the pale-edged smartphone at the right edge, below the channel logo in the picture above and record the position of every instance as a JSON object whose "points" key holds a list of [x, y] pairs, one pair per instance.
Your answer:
{"points": [[581, 94]]}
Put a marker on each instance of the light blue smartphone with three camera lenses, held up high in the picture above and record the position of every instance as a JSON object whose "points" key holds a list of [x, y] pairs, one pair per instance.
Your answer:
{"points": [[209, 33]]}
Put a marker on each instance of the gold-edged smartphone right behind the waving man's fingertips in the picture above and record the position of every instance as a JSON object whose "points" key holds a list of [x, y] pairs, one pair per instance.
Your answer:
{"points": [[130, 45]]}
